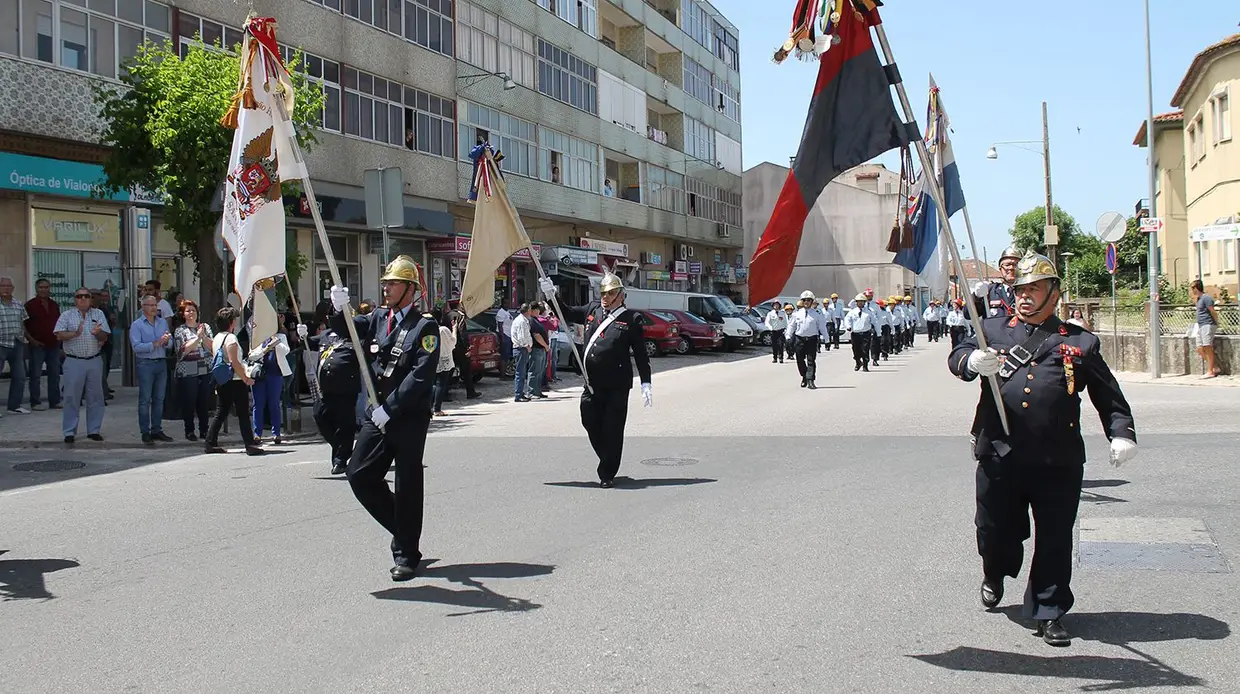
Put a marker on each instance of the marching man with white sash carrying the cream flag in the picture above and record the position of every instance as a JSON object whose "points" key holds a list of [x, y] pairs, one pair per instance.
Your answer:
{"points": [[613, 334]]}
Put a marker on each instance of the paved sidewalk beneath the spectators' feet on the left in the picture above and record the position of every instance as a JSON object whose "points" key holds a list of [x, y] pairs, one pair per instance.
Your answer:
{"points": [[43, 429]]}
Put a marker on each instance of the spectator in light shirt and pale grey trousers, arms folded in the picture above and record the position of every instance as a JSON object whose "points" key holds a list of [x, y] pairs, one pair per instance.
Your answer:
{"points": [[82, 334]]}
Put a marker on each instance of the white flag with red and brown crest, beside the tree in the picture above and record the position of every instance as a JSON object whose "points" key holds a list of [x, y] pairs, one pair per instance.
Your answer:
{"points": [[262, 158]]}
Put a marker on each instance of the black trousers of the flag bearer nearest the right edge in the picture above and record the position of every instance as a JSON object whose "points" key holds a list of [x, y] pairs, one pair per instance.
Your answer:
{"points": [[1006, 491]]}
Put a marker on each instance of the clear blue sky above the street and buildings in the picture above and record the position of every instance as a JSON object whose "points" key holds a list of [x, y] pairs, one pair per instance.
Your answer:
{"points": [[996, 63]]}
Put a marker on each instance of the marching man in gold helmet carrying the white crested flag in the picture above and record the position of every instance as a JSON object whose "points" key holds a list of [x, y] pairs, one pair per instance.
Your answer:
{"points": [[402, 350]]}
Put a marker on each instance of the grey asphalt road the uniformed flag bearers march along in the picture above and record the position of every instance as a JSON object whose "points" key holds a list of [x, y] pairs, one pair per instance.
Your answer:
{"points": [[769, 538]]}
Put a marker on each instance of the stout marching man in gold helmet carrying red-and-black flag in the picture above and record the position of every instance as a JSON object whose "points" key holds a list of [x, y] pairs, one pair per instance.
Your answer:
{"points": [[1042, 365]]}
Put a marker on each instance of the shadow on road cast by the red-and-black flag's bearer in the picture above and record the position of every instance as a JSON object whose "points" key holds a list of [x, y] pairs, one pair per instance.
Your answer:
{"points": [[1110, 675]]}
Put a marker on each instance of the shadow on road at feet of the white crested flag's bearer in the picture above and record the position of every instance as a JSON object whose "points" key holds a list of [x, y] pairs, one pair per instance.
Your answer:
{"points": [[477, 597]]}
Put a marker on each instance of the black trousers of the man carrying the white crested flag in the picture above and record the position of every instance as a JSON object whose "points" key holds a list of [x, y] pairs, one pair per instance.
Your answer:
{"points": [[397, 510]]}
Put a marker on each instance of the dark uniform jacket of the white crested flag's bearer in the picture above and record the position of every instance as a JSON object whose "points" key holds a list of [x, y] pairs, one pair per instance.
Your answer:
{"points": [[404, 370]]}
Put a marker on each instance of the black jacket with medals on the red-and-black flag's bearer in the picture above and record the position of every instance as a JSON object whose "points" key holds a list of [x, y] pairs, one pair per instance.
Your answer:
{"points": [[1042, 398]]}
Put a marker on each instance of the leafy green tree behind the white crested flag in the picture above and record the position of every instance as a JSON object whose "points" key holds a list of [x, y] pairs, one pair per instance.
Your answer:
{"points": [[162, 127]]}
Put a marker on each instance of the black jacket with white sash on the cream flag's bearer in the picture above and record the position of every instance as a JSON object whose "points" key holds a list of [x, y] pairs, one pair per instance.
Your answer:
{"points": [[608, 365]]}
